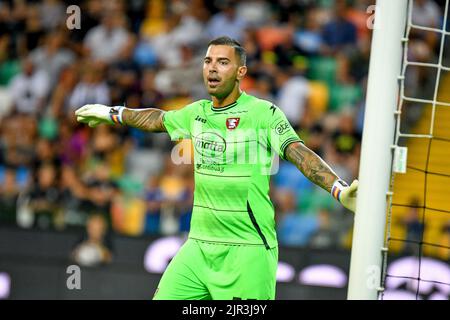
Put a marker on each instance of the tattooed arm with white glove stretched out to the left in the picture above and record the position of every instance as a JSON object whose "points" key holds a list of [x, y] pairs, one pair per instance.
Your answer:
{"points": [[150, 119]]}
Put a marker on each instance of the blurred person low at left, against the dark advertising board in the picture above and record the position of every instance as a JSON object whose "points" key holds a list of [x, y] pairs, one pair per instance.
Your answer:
{"points": [[95, 247]]}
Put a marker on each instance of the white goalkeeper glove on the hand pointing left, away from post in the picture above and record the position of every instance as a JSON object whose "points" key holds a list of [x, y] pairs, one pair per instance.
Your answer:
{"points": [[95, 114]]}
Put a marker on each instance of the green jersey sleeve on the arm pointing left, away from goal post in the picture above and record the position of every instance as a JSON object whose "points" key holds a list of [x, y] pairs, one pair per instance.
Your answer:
{"points": [[178, 122]]}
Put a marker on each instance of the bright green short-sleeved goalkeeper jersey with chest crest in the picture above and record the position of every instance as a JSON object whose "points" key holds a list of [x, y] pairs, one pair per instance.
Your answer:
{"points": [[233, 160]]}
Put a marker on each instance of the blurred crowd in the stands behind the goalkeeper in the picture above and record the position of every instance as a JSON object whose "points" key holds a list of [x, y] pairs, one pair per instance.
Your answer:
{"points": [[311, 58]]}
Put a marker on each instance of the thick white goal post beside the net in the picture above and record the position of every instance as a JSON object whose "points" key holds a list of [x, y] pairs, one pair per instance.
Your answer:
{"points": [[376, 152]]}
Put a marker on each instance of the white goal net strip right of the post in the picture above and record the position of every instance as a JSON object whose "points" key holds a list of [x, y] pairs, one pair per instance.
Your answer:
{"points": [[418, 211]]}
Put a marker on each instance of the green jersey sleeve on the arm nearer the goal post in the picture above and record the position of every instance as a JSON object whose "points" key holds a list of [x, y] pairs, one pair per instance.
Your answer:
{"points": [[281, 133]]}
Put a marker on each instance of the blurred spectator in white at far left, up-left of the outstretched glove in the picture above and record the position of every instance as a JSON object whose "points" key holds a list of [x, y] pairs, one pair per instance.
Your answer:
{"points": [[29, 89]]}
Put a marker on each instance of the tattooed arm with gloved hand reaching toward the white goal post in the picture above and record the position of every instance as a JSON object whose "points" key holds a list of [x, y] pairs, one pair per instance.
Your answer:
{"points": [[320, 173]]}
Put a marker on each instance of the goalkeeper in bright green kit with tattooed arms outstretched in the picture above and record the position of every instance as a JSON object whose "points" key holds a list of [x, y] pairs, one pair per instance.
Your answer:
{"points": [[231, 251]]}
